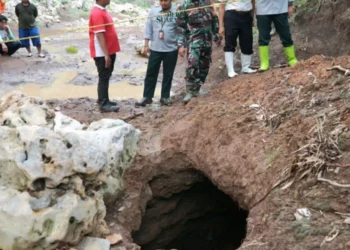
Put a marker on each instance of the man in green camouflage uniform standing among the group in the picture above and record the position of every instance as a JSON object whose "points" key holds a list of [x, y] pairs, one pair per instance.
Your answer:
{"points": [[196, 30]]}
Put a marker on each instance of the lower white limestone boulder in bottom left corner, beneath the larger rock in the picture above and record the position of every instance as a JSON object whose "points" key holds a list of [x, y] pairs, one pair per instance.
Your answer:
{"points": [[67, 220]]}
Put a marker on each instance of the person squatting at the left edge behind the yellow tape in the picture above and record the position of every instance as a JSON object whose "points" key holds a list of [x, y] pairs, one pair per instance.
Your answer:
{"points": [[8, 48]]}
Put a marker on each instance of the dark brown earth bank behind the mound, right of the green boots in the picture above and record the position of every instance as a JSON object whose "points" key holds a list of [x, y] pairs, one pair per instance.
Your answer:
{"points": [[323, 27]]}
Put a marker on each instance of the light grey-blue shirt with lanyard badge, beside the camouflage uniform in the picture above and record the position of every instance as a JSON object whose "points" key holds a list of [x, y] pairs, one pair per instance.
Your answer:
{"points": [[167, 23]]}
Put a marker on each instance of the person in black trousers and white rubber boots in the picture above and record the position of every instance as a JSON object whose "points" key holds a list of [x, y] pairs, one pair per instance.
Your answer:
{"points": [[236, 19]]}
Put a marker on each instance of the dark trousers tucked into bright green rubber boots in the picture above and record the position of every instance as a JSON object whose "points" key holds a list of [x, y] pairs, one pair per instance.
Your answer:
{"points": [[282, 27]]}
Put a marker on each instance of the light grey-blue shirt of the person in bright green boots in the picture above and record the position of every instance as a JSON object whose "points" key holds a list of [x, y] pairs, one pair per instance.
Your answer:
{"points": [[272, 7]]}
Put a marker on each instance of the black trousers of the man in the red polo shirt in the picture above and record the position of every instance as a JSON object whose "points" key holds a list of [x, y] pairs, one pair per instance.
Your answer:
{"points": [[104, 75]]}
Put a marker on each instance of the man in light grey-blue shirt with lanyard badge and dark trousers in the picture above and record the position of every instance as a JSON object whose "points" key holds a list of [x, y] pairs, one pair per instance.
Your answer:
{"points": [[161, 31]]}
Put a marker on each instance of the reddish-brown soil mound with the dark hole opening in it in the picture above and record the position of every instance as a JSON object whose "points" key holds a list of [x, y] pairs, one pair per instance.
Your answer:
{"points": [[245, 152]]}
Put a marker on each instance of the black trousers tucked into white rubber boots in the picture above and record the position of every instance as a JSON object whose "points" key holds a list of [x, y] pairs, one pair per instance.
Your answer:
{"points": [[238, 25]]}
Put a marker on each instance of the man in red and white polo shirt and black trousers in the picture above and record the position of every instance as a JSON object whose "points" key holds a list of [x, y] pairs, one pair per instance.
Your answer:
{"points": [[104, 45]]}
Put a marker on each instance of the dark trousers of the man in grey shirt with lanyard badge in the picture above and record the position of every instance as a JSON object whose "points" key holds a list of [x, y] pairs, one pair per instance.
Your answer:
{"points": [[169, 60]]}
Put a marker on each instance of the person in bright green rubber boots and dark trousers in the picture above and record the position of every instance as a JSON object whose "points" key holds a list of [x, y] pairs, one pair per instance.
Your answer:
{"points": [[276, 12]]}
